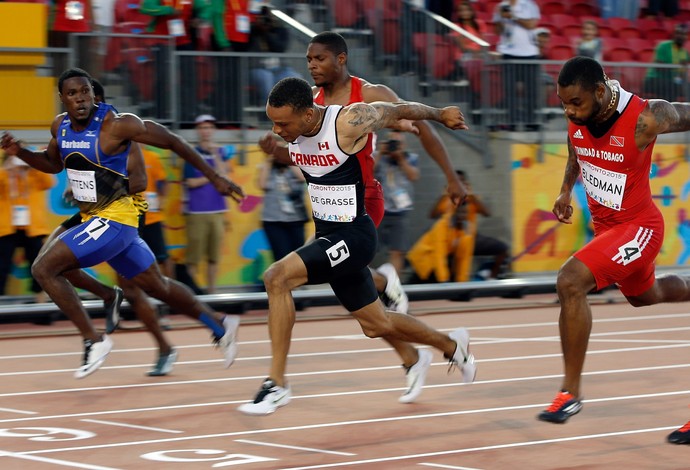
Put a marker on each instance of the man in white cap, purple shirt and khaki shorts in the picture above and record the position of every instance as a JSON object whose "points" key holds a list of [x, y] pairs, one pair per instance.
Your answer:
{"points": [[206, 207]]}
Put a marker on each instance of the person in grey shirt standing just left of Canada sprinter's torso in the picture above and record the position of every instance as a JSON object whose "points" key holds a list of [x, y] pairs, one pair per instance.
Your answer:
{"points": [[284, 212]]}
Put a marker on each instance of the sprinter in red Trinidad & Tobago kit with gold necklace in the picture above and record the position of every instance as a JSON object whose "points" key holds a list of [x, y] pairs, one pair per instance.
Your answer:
{"points": [[611, 136]]}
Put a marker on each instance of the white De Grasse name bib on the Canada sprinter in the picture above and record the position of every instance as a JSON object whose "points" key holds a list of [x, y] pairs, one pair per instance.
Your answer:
{"points": [[333, 203]]}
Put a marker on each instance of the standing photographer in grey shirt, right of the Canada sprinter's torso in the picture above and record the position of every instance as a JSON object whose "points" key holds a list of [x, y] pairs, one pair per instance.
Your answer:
{"points": [[396, 169]]}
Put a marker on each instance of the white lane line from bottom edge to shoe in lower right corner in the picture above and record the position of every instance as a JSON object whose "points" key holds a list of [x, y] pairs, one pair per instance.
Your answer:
{"points": [[485, 448]]}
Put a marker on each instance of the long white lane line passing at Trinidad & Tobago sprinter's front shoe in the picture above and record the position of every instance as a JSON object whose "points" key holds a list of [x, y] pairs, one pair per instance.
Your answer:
{"points": [[392, 419]]}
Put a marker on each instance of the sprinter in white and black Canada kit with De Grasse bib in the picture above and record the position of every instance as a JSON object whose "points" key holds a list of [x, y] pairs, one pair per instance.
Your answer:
{"points": [[326, 143]]}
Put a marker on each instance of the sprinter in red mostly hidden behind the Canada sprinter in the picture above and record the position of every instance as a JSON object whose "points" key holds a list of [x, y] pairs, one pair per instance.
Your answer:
{"points": [[327, 63]]}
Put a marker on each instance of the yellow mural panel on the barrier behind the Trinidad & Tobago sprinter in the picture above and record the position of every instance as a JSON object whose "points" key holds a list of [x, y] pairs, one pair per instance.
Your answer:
{"points": [[542, 244]]}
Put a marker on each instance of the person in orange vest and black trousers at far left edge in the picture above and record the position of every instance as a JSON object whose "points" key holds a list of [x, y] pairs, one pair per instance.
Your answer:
{"points": [[23, 191]]}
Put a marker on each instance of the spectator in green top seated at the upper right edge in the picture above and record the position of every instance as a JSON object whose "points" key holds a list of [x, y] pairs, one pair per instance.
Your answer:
{"points": [[668, 84]]}
